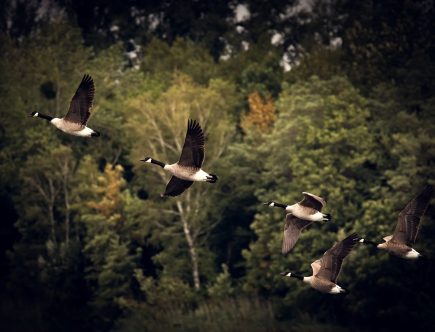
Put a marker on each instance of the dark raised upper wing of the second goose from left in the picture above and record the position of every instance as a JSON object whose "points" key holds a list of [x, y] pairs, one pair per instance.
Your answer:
{"points": [[192, 154]]}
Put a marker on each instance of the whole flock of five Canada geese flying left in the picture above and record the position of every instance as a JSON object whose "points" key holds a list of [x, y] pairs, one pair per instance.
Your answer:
{"points": [[188, 169]]}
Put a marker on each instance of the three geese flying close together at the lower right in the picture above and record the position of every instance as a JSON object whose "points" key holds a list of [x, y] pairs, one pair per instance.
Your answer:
{"points": [[327, 268]]}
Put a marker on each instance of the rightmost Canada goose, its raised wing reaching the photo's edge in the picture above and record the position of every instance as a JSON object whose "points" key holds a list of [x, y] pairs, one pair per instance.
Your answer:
{"points": [[400, 243]]}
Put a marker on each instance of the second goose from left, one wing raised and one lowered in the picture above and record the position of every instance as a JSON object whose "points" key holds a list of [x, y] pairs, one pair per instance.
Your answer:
{"points": [[188, 168]]}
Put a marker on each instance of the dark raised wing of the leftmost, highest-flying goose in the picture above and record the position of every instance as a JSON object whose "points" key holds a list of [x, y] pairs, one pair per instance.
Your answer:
{"points": [[81, 103]]}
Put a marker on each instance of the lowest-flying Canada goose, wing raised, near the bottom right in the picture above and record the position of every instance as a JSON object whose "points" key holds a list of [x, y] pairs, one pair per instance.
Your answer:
{"points": [[327, 268]]}
